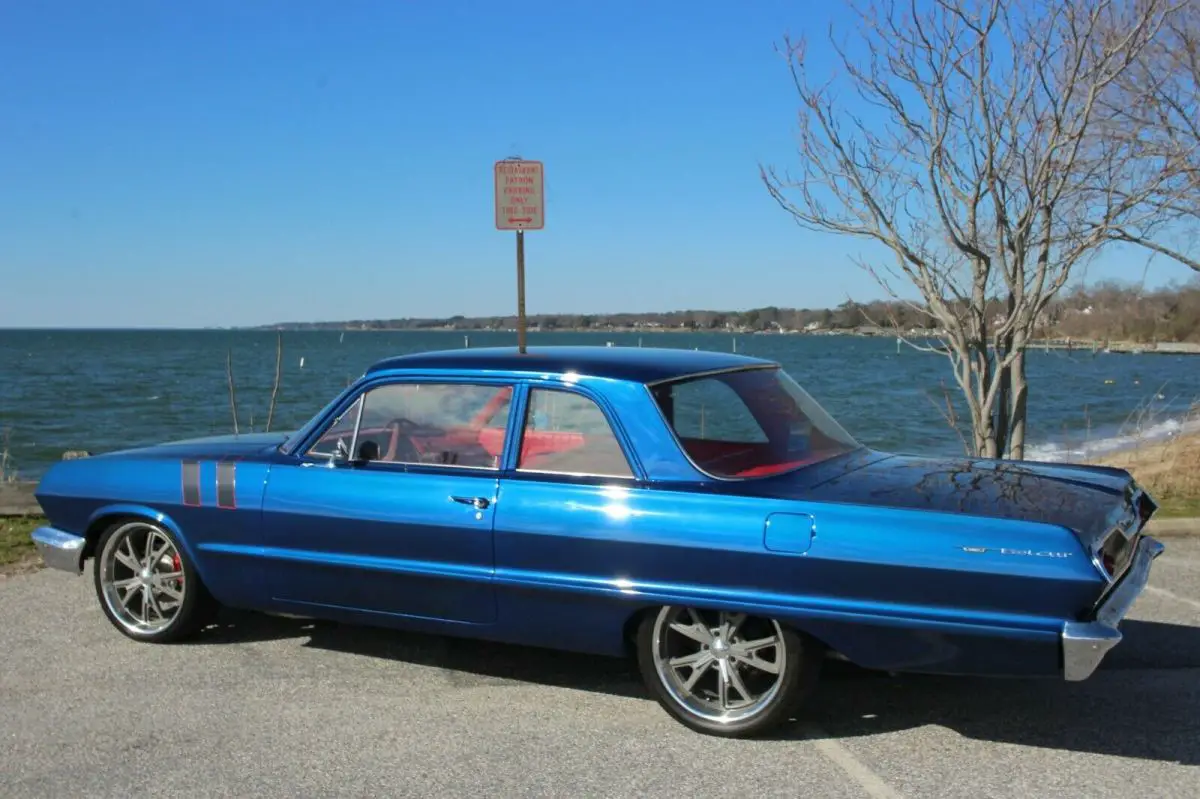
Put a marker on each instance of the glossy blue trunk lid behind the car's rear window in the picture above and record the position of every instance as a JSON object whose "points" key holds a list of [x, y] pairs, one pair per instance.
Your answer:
{"points": [[1085, 500]]}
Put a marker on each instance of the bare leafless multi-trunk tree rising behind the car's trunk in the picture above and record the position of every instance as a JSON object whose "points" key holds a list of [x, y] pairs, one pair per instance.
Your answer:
{"points": [[964, 141]]}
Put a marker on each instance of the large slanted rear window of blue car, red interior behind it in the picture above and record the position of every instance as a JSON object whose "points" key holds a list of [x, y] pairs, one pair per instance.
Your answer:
{"points": [[749, 423]]}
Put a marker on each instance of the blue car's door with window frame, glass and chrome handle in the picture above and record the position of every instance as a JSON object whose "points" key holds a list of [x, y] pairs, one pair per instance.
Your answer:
{"points": [[405, 527]]}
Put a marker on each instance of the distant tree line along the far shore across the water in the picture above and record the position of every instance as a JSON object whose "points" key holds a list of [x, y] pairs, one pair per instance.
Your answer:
{"points": [[1107, 311]]}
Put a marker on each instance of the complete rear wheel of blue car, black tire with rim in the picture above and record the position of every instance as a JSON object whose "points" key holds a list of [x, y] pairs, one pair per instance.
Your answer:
{"points": [[725, 674]]}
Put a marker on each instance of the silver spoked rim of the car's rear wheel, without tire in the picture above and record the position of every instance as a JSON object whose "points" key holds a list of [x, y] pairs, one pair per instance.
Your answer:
{"points": [[719, 666]]}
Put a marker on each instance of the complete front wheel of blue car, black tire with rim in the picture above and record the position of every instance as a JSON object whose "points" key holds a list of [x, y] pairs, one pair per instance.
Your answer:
{"points": [[147, 586]]}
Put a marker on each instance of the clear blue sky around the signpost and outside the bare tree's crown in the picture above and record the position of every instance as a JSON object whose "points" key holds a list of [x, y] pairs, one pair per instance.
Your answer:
{"points": [[232, 164]]}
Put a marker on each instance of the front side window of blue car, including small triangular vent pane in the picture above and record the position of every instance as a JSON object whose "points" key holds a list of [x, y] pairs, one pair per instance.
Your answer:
{"points": [[439, 424]]}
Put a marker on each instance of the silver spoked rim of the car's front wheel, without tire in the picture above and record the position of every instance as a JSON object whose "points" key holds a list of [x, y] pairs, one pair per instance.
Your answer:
{"points": [[142, 579]]}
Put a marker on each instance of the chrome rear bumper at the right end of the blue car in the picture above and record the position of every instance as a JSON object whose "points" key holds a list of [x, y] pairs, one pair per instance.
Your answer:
{"points": [[1087, 644]]}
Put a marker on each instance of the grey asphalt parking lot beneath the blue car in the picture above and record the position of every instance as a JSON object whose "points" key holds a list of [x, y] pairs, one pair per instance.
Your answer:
{"points": [[285, 708]]}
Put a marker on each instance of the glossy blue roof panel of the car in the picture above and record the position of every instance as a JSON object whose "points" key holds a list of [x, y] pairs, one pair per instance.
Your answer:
{"points": [[635, 364]]}
